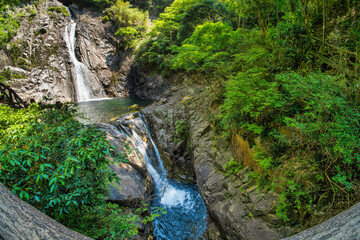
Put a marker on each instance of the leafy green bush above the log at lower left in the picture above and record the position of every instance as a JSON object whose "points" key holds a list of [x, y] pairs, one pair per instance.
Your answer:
{"points": [[51, 160]]}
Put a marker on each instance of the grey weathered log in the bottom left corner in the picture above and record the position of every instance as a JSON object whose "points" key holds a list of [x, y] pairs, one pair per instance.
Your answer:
{"points": [[19, 220]]}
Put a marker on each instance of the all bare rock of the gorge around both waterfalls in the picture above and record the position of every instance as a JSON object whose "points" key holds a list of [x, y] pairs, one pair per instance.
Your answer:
{"points": [[179, 120]]}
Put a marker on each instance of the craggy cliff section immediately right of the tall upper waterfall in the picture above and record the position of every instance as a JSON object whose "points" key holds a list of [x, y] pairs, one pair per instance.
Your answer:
{"points": [[96, 48]]}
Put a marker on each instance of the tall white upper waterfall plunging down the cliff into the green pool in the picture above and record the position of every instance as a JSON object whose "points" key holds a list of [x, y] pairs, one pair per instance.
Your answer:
{"points": [[82, 73]]}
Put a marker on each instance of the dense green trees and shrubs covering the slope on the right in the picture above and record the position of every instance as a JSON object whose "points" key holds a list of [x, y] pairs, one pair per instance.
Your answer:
{"points": [[286, 71]]}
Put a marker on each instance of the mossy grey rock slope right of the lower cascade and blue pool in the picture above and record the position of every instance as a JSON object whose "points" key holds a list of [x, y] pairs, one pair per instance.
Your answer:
{"points": [[240, 210]]}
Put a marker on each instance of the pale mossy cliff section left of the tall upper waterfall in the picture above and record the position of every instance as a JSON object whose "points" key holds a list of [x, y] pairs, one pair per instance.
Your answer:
{"points": [[40, 51]]}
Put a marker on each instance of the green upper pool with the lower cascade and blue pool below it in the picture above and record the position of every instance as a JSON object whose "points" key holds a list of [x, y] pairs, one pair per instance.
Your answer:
{"points": [[186, 214]]}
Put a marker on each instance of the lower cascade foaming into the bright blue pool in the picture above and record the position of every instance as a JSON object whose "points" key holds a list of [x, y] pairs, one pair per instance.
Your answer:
{"points": [[186, 211]]}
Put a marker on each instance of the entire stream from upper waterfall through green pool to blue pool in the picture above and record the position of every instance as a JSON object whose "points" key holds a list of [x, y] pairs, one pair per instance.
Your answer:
{"points": [[186, 213]]}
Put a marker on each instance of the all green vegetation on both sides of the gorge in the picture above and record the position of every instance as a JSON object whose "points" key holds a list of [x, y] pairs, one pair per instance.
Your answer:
{"points": [[285, 71]]}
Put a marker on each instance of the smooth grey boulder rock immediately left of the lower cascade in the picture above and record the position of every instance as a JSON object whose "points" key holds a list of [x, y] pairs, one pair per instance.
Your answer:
{"points": [[135, 186]]}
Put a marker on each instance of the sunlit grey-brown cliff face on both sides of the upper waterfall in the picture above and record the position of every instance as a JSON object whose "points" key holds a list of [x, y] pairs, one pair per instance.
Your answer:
{"points": [[39, 61]]}
